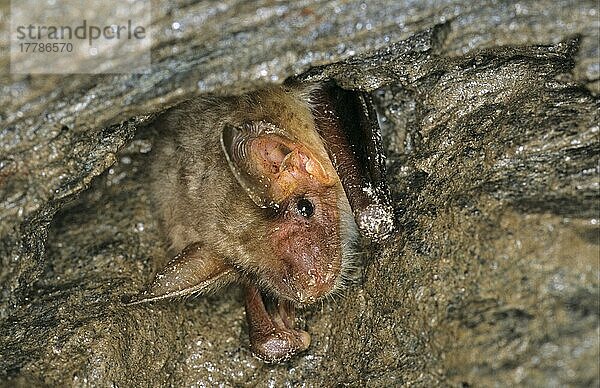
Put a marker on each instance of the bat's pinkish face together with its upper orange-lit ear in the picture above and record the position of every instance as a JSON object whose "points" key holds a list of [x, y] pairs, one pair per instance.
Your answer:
{"points": [[309, 225]]}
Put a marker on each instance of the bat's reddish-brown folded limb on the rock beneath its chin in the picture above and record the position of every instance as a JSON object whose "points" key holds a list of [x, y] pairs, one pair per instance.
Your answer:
{"points": [[272, 335]]}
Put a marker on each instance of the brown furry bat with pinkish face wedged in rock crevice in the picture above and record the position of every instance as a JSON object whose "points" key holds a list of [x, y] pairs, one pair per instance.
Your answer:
{"points": [[269, 190]]}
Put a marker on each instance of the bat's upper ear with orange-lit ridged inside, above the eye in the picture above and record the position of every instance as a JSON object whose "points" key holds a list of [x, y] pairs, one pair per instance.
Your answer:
{"points": [[270, 166]]}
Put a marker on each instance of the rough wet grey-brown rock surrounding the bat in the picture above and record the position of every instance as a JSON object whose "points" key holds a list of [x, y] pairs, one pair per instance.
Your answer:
{"points": [[492, 278]]}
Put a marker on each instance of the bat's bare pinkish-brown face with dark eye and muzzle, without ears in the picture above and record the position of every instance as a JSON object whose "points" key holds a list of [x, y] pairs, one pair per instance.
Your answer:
{"points": [[307, 239]]}
